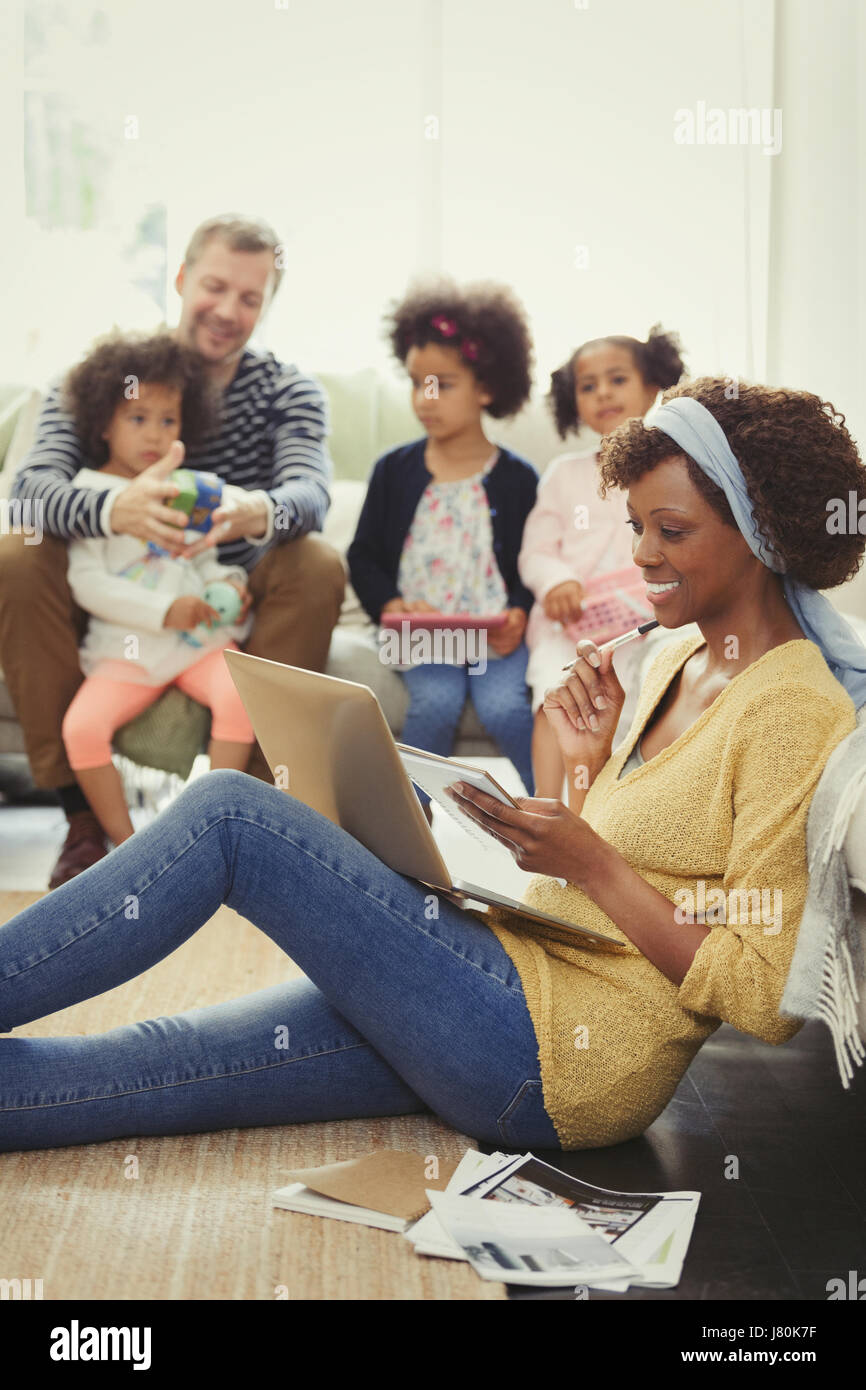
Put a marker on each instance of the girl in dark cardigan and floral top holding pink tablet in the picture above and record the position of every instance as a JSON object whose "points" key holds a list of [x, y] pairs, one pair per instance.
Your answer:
{"points": [[443, 522]]}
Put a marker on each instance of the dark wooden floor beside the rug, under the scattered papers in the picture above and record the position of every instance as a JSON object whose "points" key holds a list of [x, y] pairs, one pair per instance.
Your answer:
{"points": [[797, 1214]]}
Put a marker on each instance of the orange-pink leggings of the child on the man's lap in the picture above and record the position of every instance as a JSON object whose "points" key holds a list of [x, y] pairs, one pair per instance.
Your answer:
{"points": [[105, 704]]}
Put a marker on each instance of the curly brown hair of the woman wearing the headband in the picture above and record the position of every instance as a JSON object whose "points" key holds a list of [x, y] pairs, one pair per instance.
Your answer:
{"points": [[796, 457]]}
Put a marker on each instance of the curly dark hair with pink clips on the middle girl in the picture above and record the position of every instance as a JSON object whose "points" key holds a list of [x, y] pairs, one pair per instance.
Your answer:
{"points": [[486, 323]]}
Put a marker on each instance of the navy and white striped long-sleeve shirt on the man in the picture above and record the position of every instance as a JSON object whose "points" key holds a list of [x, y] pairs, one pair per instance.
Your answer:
{"points": [[272, 441]]}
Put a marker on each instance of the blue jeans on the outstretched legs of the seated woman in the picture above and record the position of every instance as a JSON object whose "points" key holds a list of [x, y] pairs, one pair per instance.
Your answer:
{"points": [[409, 1004]]}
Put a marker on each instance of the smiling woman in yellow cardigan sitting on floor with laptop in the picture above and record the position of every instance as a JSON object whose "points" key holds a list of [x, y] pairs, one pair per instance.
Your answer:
{"points": [[687, 846]]}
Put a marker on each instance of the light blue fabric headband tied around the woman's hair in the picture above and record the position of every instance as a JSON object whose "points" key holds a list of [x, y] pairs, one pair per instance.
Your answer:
{"points": [[701, 437]]}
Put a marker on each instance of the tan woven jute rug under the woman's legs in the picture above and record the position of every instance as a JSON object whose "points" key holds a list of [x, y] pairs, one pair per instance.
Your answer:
{"points": [[197, 1224]]}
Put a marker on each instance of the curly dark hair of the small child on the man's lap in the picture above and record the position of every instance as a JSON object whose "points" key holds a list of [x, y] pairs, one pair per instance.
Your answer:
{"points": [[97, 387]]}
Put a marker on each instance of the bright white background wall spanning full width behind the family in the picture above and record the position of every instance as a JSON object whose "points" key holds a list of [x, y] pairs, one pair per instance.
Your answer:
{"points": [[555, 131]]}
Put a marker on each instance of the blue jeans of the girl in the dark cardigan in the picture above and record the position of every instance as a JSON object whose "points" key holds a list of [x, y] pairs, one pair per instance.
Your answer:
{"points": [[437, 696]]}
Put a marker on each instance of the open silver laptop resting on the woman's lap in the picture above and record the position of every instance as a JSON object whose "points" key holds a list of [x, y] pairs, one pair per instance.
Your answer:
{"points": [[329, 744]]}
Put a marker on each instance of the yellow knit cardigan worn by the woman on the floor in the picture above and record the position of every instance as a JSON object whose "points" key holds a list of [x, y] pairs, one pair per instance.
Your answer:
{"points": [[725, 804]]}
